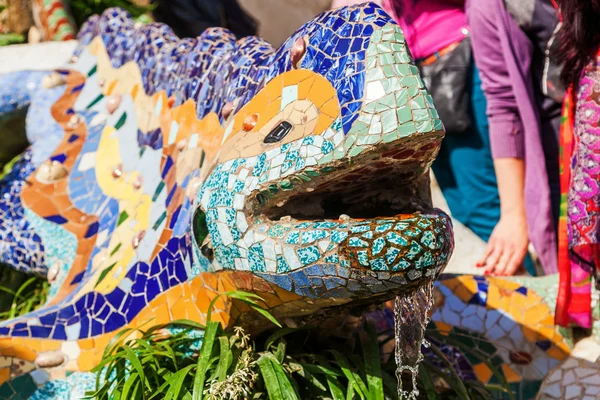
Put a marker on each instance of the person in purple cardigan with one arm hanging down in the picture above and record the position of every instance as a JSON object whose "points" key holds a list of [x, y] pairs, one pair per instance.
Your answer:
{"points": [[511, 40]]}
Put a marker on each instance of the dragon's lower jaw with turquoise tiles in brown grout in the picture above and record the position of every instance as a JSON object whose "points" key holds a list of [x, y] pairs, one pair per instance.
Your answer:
{"points": [[373, 260]]}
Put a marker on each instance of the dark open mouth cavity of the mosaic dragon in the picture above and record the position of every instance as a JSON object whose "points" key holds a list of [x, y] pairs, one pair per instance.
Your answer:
{"points": [[381, 188]]}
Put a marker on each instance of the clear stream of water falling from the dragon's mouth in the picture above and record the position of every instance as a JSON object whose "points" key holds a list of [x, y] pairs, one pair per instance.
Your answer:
{"points": [[411, 318]]}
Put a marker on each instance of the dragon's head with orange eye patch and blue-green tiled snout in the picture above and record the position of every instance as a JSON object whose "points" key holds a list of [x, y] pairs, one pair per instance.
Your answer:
{"points": [[321, 184]]}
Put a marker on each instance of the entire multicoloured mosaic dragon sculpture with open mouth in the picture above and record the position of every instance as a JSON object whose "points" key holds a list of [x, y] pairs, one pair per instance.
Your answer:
{"points": [[163, 172]]}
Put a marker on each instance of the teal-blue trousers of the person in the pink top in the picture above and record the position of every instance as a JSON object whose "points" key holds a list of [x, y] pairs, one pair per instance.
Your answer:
{"points": [[465, 172]]}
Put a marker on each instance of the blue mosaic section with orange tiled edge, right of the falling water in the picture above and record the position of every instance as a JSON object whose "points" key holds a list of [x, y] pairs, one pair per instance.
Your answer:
{"points": [[507, 324]]}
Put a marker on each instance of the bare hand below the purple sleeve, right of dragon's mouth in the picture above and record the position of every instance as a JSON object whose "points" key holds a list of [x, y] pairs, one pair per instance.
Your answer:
{"points": [[507, 246]]}
